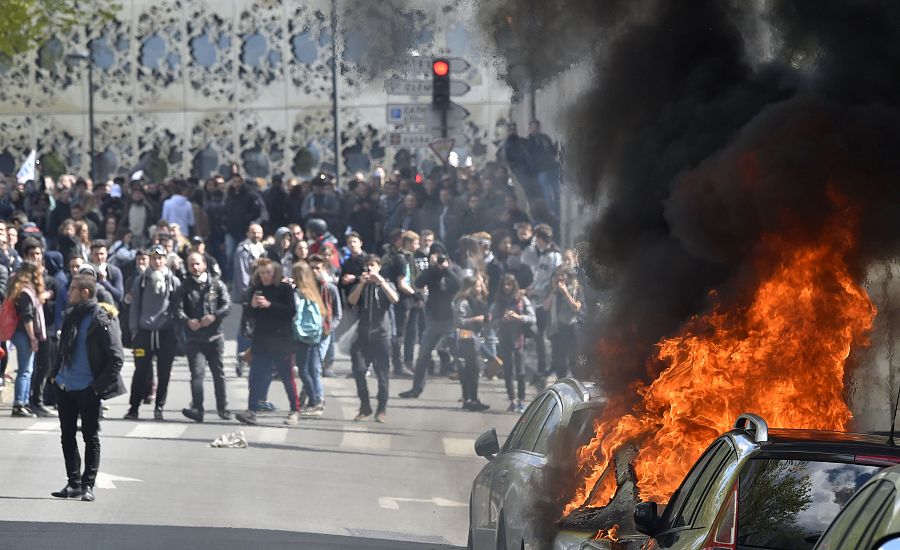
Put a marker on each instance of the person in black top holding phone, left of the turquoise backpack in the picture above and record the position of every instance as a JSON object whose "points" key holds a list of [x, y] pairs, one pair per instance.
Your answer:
{"points": [[270, 304]]}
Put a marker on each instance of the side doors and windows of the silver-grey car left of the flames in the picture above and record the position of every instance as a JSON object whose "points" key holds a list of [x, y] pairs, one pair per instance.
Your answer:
{"points": [[503, 466]]}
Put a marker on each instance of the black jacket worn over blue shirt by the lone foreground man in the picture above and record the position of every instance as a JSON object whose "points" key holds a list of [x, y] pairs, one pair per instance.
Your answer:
{"points": [[105, 355]]}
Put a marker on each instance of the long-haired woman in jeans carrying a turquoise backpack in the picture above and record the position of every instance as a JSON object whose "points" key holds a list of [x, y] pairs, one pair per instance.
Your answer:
{"points": [[308, 330]]}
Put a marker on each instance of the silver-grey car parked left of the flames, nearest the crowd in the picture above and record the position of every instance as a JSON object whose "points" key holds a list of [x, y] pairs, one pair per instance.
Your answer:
{"points": [[505, 490]]}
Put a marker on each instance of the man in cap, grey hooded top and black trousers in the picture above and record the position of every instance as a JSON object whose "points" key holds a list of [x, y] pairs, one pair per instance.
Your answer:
{"points": [[152, 328]]}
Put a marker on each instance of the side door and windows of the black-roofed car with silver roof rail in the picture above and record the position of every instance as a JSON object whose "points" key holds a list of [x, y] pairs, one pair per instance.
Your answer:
{"points": [[682, 524]]}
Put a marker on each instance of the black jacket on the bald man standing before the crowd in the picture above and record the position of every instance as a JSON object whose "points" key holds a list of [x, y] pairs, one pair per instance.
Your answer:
{"points": [[198, 299]]}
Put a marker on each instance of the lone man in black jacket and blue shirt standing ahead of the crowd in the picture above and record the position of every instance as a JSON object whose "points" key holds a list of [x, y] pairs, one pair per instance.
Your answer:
{"points": [[90, 359]]}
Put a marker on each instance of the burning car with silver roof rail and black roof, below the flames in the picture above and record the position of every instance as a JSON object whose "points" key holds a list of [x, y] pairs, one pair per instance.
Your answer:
{"points": [[754, 487]]}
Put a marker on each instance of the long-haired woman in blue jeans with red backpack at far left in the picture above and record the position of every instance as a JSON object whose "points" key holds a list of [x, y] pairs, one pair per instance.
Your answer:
{"points": [[25, 306]]}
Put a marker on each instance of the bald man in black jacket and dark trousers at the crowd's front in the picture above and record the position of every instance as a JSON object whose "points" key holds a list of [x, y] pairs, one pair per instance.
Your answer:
{"points": [[202, 304]]}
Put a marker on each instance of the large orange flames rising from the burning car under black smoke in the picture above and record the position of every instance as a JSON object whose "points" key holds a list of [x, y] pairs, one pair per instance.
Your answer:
{"points": [[781, 355]]}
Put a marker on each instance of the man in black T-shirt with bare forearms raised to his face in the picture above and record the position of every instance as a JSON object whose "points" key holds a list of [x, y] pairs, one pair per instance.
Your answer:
{"points": [[373, 296]]}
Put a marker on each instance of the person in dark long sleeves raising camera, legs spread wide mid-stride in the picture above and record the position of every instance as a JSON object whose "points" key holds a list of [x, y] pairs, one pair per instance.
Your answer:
{"points": [[441, 282]]}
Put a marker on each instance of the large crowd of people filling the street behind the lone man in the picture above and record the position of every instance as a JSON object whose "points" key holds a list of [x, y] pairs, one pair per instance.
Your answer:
{"points": [[389, 269]]}
